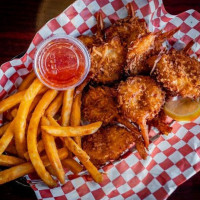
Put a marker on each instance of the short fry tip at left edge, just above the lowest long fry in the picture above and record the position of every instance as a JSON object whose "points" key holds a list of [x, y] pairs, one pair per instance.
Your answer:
{"points": [[10, 160]]}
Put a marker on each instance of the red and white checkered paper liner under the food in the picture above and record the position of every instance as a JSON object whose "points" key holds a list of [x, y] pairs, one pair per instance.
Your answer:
{"points": [[172, 159]]}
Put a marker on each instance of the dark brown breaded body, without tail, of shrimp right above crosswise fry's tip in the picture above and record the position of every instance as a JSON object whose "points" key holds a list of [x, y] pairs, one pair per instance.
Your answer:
{"points": [[98, 105]]}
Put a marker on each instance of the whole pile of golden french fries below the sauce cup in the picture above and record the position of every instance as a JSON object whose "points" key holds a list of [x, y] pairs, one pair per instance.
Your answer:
{"points": [[34, 141]]}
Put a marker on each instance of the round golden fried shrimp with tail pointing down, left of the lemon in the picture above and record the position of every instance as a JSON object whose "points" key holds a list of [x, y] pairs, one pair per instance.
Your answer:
{"points": [[140, 100]]}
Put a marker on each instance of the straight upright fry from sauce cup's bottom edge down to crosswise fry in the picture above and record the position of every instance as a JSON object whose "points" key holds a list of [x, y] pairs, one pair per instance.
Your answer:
{"points": [[67, 105]]}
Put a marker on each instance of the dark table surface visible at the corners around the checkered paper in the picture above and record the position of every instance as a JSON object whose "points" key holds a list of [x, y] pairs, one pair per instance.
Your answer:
{"points": [[19, 21]]}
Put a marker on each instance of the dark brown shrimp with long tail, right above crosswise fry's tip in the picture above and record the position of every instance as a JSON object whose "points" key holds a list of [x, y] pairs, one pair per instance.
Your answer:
{"points": [[100, 104]]}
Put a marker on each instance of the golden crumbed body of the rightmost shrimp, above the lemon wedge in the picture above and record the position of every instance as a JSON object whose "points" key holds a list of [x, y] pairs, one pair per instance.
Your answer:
{"points": [[178, 73]]}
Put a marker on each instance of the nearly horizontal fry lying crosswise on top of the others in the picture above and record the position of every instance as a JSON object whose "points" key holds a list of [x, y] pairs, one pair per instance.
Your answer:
{"points": [[69, 131]]}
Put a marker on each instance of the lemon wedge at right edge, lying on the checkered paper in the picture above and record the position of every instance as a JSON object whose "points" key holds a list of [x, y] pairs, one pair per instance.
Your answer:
{"points": [[182, 109]]}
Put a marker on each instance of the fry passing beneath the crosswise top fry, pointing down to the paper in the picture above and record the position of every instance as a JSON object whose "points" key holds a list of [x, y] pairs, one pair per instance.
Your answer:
{"points": [[52, 153]]}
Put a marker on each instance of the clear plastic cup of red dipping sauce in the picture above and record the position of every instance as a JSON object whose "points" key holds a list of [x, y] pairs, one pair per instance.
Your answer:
{"points": [[61, 62]]}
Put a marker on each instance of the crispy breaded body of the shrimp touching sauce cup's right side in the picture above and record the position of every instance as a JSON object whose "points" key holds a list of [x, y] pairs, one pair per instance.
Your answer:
{"points": [[107, 61]]}
